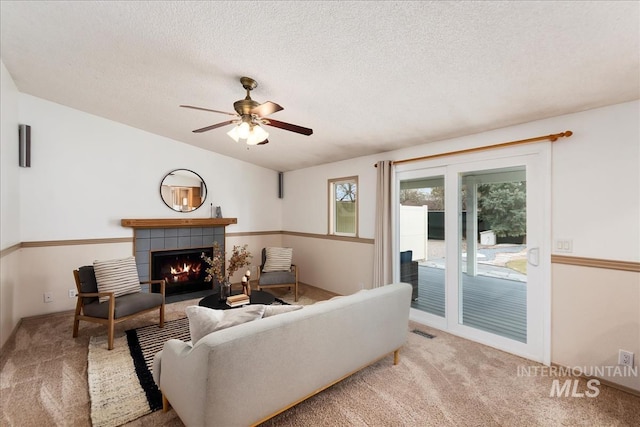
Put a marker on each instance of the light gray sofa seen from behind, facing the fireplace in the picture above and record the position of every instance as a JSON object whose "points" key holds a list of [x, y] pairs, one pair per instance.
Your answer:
{"points": [[248, 373]]}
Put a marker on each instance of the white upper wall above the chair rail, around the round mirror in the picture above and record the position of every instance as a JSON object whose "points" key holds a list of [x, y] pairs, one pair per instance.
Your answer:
{"points": [[88, 173]]}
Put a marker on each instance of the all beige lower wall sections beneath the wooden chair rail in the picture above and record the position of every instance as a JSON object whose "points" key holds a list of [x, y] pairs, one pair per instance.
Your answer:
{"points": [[595, 311]]}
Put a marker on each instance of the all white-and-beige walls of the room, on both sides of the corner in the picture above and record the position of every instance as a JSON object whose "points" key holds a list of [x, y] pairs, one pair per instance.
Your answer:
{"points": [[87, 173]]}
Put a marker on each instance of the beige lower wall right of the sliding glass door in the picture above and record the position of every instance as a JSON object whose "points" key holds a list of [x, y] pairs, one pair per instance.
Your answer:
{"points": [[594, 313]]}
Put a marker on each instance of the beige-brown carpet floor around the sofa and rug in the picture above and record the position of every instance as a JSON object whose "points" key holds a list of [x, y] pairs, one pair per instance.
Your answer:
{"points": [[444, 381]]}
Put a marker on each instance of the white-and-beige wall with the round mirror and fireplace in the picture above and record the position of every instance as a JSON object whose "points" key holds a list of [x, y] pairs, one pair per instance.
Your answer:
{"points": [[87, 173]]}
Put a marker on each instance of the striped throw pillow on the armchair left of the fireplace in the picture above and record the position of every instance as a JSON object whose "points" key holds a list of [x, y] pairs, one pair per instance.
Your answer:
{"points": [[119, 276]]}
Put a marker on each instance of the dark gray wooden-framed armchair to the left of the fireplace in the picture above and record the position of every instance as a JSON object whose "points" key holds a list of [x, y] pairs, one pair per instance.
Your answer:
{"points": [[116, 309]]}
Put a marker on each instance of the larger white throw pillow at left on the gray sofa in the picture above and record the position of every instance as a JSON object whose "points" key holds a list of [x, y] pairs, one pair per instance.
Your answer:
{"points": [[203, 320]]}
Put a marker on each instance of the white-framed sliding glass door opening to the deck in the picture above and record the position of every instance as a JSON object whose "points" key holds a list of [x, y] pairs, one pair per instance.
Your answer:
{"points": [[472, 237]]}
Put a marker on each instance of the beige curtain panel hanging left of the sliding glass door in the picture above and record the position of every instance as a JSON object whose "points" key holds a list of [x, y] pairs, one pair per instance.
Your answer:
{"points": [[383, 261]]}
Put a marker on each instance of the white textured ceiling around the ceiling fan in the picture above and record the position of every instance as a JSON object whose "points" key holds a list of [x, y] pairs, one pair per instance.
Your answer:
{"points": [[368, 77]]}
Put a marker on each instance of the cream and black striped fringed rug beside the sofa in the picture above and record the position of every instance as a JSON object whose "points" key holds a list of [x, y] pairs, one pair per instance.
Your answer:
{"points": [[121, 385]]}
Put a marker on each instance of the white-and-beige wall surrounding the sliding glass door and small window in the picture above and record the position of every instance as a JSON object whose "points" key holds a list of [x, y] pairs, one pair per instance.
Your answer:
{"points": [[595, 202]]}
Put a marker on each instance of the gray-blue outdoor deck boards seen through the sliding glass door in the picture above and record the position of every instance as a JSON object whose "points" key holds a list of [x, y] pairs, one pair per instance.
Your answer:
{"points": [[491, 304]]}
